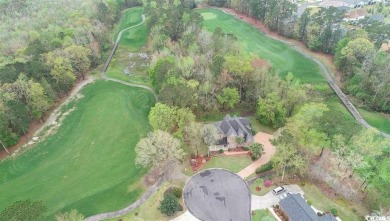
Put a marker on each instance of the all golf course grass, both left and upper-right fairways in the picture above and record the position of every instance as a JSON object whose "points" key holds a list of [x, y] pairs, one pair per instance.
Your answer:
{"points": [[88, 164]]}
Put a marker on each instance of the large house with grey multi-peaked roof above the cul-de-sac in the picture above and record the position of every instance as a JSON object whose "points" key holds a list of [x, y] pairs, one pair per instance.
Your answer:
{"points": [[229, 129]]}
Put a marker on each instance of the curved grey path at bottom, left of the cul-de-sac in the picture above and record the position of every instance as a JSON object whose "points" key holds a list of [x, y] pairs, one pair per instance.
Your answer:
{"points": [[128, 209]]}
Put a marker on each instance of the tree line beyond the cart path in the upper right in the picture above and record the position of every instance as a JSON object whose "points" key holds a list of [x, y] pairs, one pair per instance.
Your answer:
{"points": [[324, 30]]}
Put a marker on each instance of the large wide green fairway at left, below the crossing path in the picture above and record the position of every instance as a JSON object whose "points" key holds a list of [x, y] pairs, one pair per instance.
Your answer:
{"points": [[88, 164]]}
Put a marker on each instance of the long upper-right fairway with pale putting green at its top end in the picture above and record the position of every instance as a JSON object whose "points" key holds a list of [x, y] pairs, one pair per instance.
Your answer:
{"points": [[279, 54]]}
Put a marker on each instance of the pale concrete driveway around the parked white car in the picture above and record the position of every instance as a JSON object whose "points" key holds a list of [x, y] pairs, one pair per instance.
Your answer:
{"points": [[269, 199]]}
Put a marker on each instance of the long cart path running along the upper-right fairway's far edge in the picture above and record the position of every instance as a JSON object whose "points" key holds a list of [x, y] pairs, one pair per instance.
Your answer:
{"points": [[344, 99]]}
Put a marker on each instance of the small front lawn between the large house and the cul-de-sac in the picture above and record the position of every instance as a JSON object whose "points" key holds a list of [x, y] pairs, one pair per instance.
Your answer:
{"points": [[232, 163]]}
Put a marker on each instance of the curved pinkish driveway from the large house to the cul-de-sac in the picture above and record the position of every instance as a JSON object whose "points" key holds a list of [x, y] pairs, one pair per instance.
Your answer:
{"points": [[269, 151]]}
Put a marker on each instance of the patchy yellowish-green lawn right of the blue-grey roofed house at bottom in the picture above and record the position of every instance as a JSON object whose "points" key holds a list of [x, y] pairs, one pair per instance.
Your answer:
{"points": [[323, 203]]}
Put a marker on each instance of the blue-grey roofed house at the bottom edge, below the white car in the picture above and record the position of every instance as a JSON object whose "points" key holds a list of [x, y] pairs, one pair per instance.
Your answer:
{"points": [[295, 208]]}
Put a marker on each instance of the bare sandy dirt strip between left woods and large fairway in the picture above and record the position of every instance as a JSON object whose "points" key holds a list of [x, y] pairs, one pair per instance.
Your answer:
{"points": [[50, 119]]}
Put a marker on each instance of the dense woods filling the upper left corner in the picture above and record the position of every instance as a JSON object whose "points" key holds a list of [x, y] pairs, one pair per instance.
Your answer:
{"points": [[46, 47]]}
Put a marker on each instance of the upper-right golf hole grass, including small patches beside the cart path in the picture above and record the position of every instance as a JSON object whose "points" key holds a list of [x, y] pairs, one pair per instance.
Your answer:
{"points": [[282, 57]]}
